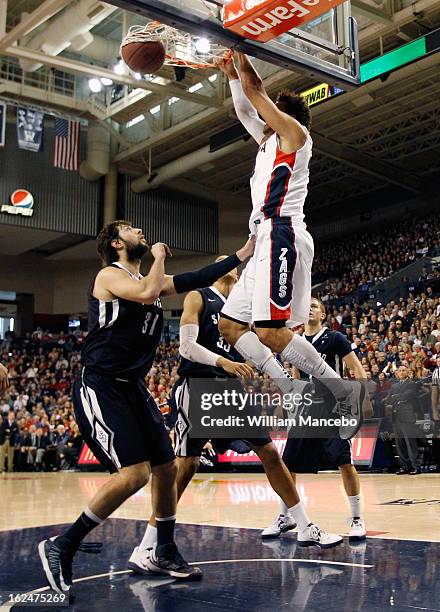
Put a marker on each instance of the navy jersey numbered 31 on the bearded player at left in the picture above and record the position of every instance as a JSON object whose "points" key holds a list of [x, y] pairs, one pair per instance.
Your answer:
{"points": [[123, 336]]}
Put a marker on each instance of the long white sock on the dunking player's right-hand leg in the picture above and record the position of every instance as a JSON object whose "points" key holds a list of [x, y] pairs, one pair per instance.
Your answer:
{"points": [[303, 355]]}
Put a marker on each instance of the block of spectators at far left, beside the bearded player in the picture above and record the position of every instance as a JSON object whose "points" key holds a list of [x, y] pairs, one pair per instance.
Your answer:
{"points": [[37, 427]]}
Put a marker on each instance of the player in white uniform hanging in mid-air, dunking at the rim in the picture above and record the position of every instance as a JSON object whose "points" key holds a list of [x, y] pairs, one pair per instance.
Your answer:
{"points": [[274, 290]]}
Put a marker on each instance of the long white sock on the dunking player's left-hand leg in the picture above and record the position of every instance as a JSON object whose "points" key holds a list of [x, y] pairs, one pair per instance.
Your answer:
{"points": [[252, 349]]}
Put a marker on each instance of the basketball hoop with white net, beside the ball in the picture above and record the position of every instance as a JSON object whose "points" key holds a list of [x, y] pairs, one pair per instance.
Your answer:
{"points": [[180, 47]]}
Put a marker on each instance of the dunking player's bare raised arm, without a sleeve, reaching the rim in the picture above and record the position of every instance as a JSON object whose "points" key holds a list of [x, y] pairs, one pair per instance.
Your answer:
{"points": [[291, 133]]}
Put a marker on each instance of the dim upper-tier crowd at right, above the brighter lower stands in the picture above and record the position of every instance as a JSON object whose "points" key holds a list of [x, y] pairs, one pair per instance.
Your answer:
{"points": [[364, 259]]}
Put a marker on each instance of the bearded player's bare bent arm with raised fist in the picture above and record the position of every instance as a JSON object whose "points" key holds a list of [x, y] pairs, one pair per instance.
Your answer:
{"points": [[115, 282]]}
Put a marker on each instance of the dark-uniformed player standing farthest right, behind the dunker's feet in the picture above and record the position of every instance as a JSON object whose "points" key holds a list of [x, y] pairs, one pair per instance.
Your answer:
{"points": [[308, 455]]}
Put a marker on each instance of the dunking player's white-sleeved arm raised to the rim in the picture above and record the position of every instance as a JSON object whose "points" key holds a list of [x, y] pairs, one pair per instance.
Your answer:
{"points": [[246, 113]]}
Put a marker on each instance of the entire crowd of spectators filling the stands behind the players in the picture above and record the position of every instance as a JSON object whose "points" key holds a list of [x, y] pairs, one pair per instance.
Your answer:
{"points": [[37, 423]]}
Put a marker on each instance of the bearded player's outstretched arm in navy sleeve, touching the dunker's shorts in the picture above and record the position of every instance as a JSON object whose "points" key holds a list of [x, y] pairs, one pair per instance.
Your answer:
{"points": [[197, 279]]}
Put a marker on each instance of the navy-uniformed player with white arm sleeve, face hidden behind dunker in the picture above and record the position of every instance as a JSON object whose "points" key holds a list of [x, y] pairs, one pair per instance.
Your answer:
{"points": [[205, 354]]}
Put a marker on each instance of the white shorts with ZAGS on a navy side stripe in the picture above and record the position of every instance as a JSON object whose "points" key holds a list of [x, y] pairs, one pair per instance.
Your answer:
{"points": [[276, 283]]}
